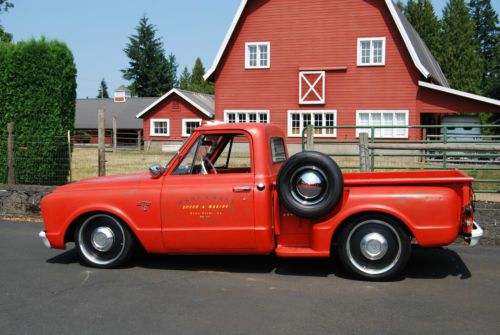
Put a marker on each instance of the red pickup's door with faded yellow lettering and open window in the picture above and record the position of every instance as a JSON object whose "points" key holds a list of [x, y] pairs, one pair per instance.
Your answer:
{"points": [[208, 200]]}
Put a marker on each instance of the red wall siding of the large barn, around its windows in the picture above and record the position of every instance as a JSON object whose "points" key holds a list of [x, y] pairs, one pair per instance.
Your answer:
{"points": [[317, 33]]}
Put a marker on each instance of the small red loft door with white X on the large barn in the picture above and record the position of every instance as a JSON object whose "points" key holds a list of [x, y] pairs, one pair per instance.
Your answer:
{"points": [[312, 87]]}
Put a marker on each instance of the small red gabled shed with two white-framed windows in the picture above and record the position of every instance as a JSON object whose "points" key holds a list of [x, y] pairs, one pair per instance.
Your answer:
{"points": [[172, 117]]}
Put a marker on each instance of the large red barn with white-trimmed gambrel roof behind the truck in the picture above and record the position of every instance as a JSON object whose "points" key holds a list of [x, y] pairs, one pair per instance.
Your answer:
{"points": [[343, 62]]}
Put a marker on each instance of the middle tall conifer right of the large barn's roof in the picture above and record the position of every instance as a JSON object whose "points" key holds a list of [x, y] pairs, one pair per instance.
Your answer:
{"points": [[458, 56]]}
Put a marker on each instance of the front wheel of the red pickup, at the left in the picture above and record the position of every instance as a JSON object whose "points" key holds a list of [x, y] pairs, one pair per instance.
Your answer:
{"points": [[103, 241]]}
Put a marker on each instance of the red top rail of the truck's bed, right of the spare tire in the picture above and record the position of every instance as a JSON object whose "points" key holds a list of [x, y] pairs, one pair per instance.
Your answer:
{"points": [[406, 178]]}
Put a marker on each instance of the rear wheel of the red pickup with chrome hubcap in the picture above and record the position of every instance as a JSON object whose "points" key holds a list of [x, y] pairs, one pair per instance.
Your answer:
{"points": [[374, 247]]}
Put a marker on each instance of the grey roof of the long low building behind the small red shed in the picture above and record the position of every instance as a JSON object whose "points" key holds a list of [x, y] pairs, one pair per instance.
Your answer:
{"points": [[86, 112]]}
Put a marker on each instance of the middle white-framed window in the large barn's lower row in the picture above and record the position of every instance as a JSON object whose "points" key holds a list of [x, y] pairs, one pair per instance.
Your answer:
{"points": [[298, 120]]}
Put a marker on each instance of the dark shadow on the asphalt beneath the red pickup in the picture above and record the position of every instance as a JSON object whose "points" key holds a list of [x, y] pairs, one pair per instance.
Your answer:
{"points": [[434, 263]]}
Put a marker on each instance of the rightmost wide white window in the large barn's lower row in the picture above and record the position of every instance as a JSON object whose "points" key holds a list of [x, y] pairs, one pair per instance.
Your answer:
{"points": [[383, 118]]}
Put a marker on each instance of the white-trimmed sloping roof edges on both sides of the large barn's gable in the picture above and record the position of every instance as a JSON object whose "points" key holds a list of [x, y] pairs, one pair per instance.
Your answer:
{"points": [[420, 54]]}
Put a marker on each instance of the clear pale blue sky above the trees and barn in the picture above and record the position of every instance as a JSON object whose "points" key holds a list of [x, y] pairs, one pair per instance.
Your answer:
{"points": [[98, 30]]}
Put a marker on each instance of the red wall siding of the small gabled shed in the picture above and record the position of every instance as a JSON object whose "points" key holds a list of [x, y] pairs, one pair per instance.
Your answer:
{"points": [[175, 109]]}
